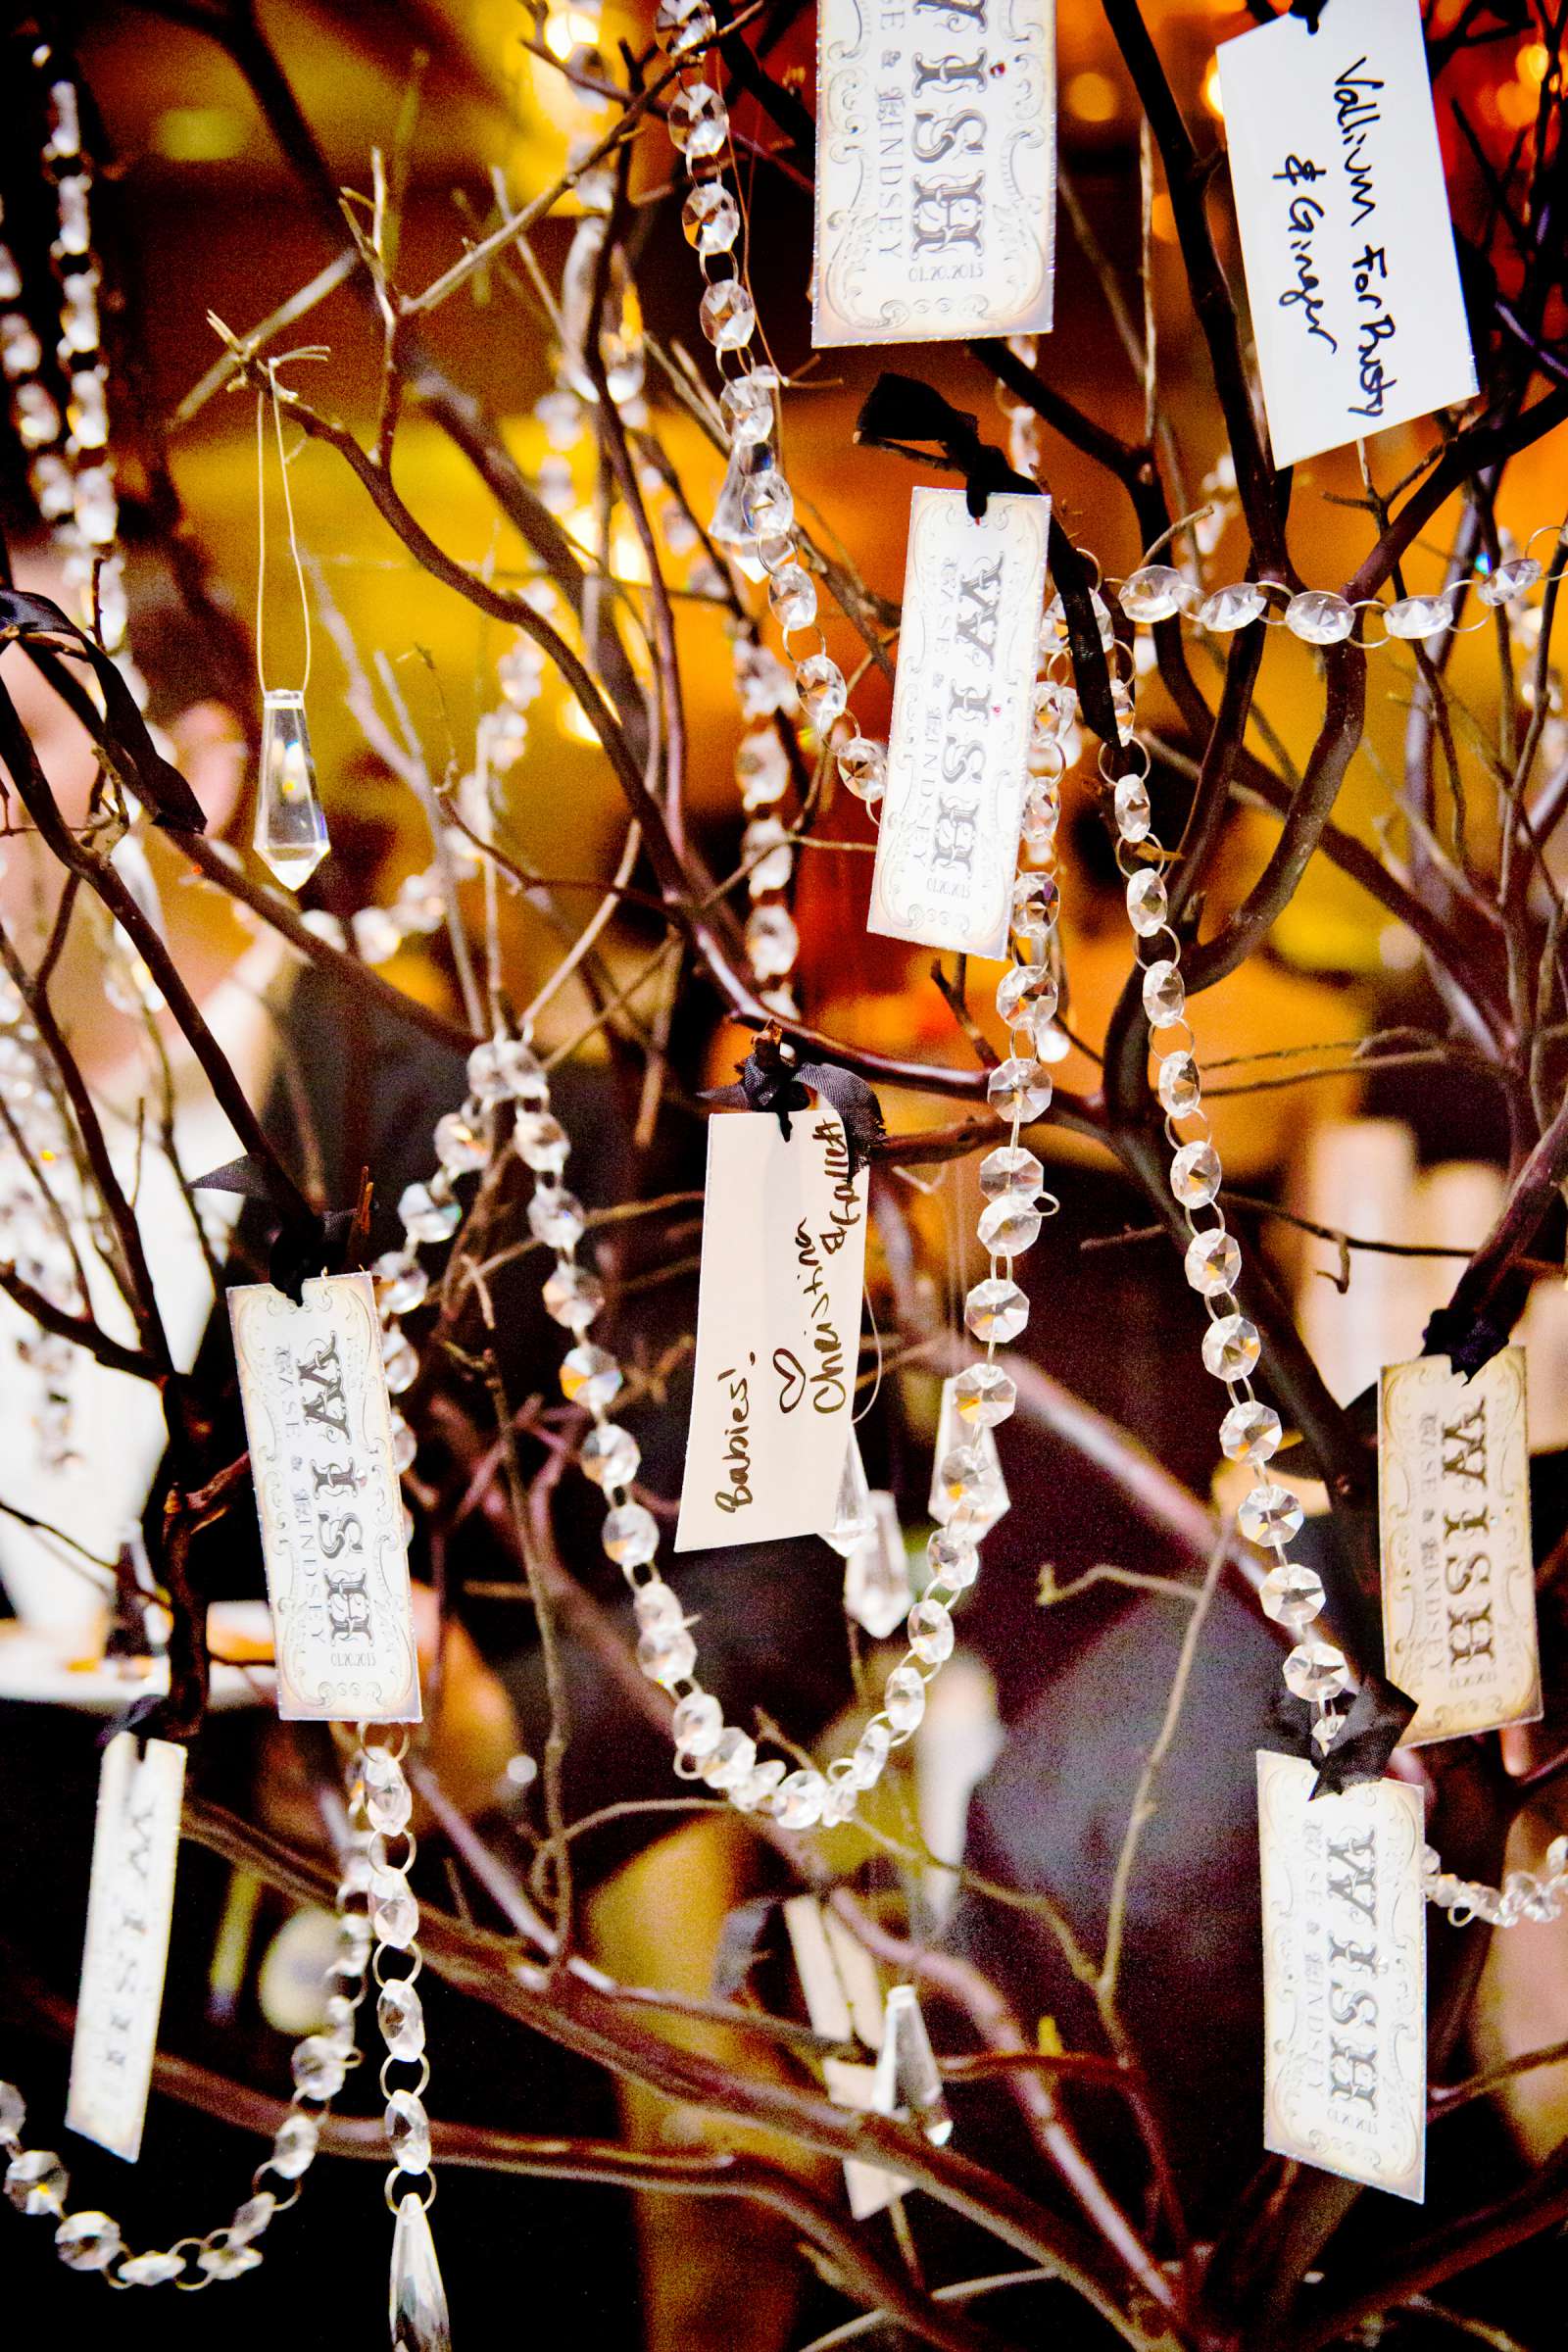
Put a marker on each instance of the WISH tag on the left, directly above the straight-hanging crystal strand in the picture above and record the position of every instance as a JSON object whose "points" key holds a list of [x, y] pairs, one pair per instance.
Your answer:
{"points": [[321, 1436]]}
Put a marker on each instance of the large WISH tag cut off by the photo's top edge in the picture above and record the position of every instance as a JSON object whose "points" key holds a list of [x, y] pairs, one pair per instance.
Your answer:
{"points": [[934, 171]]}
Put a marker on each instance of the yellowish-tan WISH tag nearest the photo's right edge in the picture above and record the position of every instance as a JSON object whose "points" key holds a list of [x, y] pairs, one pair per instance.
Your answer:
{"points": [[1454, 1516]]}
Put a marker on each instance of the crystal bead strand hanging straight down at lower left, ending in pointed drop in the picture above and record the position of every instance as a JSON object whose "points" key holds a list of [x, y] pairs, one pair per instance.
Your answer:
{"points": [[382, 1805]]}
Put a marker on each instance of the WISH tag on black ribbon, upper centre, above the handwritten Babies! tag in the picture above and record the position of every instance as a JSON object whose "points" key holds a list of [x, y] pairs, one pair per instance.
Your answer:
{"points": [[963, 714]]}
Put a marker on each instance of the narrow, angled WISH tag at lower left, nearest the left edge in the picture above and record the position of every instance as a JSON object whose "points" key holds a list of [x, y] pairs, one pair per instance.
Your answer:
{"points": [[128, 1942]]}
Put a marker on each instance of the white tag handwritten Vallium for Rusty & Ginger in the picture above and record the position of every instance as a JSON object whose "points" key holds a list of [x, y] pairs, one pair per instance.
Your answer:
{"points": [[1346, 234]]}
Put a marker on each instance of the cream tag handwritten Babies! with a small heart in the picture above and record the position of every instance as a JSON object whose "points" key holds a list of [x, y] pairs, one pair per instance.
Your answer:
{"points": [[777, 1330]]}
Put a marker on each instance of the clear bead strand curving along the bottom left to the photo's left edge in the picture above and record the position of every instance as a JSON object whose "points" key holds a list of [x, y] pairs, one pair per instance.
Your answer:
{"points": [[39, 2184]]}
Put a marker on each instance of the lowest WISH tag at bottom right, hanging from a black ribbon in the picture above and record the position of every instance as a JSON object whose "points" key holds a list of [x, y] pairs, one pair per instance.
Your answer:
{"points": [[1343, 1977]]}
